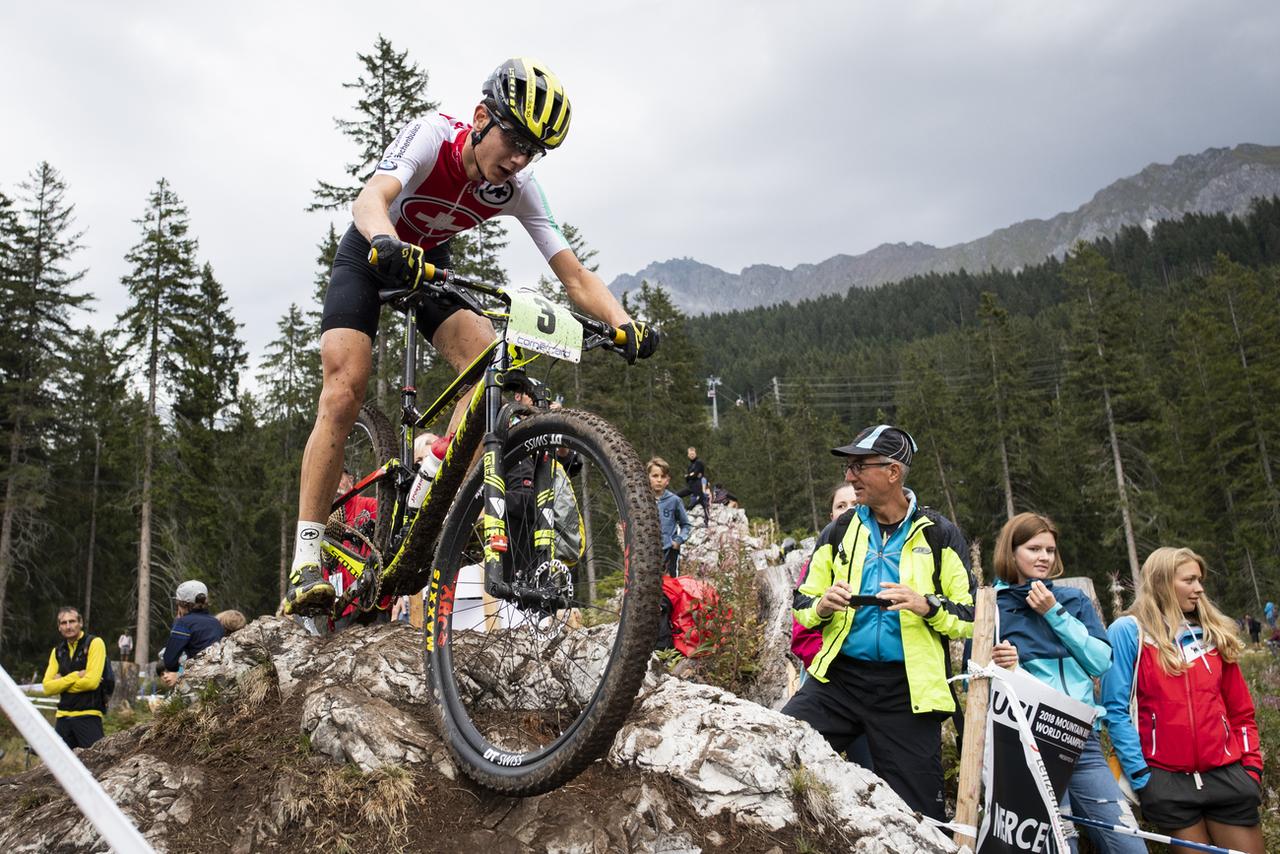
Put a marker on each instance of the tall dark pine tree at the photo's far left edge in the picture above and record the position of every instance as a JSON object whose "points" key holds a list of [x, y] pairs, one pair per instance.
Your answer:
{"points": [[36, 248]]}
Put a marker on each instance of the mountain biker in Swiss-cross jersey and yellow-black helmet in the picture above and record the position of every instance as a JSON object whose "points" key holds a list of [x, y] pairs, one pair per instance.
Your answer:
{"points": [[440, 177]]}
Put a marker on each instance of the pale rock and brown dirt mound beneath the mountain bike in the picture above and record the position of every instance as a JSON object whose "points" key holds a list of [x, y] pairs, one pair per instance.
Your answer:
{"points": [[693, 769]]}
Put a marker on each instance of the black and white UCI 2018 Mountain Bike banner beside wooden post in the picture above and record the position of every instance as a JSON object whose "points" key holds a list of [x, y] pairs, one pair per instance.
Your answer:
{"points": [[1021, 783]]}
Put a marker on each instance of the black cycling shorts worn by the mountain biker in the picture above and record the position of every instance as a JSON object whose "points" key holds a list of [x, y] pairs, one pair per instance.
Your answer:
{"points": [[351, 302]]}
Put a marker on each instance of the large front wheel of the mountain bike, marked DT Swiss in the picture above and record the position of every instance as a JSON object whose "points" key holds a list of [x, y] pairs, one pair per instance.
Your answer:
{"points": [[532, 692]]}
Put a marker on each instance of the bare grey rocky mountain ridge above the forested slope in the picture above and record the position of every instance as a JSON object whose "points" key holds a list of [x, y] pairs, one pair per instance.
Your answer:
{"points": [[1217, 181]]}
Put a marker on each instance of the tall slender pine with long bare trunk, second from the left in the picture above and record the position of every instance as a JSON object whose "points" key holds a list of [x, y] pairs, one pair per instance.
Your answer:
{"points": [[163, 289]]}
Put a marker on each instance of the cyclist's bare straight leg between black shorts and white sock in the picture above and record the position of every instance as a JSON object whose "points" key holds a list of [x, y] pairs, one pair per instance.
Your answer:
{"points": [[346, 357]]}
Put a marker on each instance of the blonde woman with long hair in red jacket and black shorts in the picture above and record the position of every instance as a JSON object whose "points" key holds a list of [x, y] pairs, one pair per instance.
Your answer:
{"points": [[1195, 765]]}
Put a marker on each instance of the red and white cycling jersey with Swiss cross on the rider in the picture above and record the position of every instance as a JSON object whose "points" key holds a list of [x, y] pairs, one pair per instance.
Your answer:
{"points": [[437, 200]]}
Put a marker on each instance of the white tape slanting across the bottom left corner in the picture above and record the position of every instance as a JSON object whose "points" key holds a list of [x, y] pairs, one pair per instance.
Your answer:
{"points": [[116, 828]]}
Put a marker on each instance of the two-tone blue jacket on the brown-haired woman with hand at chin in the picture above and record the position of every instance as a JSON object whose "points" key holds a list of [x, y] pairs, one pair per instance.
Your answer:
{"points": [[1066, 649]]}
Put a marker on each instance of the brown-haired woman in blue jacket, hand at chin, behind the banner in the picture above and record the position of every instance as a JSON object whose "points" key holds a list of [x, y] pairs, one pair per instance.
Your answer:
{"points": [[1057, 636]]}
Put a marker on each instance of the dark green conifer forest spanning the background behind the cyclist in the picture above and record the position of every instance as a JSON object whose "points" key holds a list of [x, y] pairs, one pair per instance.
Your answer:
{"points": [[1131, 391]]}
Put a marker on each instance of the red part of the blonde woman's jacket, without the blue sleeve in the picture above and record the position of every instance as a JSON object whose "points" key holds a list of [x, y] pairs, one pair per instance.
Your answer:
{"points": [[1199, 720]]}
